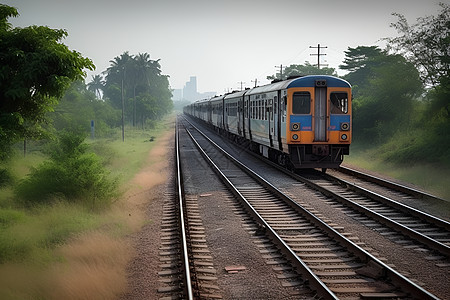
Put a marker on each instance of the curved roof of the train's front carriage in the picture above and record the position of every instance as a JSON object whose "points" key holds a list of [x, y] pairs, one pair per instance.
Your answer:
{"points": [[305, 81]]}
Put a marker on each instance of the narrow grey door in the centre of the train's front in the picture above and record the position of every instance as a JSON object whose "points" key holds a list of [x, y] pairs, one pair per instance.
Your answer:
{"points": [[320, 112]]}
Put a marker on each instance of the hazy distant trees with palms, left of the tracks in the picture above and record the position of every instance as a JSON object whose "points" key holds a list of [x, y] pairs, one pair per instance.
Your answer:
{"points": [[132, 84]]}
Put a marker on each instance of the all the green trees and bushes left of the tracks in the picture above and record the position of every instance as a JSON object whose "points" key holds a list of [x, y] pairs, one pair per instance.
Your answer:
{"points": [[44, 100]]}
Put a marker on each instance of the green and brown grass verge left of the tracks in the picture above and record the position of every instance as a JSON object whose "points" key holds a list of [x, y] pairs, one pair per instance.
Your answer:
{"points": [[66, 251]]}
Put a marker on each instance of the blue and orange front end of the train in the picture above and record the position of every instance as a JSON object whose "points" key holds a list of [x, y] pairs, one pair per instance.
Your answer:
{"points": [[318, 127]]}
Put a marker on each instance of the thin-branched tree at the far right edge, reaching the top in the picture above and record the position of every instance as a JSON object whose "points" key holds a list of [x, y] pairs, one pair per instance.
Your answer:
{"points": [[426, 45]]}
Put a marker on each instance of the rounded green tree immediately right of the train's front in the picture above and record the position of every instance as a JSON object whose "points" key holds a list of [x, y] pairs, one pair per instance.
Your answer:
{"points": [[387, 90]]}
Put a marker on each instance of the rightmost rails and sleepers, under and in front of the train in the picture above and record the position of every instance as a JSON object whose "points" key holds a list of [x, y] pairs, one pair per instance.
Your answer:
{"points": [[381, 207]]}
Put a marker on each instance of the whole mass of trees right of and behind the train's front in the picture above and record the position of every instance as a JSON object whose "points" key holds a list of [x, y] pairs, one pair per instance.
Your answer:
{"points": [[401, 94]]}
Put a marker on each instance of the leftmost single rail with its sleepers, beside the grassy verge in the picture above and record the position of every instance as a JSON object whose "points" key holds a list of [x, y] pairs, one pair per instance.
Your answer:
{"points": [[187, 270]]}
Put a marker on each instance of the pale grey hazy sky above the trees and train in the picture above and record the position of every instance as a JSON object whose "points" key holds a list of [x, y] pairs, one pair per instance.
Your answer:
{"points": [[221, 42]]}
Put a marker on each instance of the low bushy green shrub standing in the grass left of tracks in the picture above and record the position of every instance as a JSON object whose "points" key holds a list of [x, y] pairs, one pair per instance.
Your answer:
{"points": [[72, 174]]}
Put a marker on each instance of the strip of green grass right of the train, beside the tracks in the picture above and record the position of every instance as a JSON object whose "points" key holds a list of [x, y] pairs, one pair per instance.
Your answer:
{"points": [[429, 177]]}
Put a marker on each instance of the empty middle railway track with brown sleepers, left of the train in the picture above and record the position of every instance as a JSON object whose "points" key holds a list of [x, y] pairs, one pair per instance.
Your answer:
{"points": [[333, 265]]}
